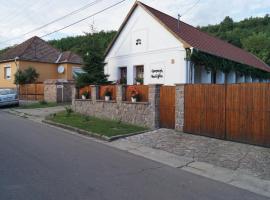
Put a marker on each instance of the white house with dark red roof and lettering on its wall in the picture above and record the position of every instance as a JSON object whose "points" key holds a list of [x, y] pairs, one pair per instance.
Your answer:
{"points": [[153, 46]]}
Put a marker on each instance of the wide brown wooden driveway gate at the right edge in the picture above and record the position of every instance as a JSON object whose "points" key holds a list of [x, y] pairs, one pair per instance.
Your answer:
{"points": [[237, 112]]}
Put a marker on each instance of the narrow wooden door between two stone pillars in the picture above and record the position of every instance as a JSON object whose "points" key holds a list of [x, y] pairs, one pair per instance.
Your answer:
{"points": [[167, 107]]}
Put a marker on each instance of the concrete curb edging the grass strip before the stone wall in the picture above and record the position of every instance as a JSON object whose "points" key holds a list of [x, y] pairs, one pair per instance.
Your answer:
{"points": [[90, 134]]}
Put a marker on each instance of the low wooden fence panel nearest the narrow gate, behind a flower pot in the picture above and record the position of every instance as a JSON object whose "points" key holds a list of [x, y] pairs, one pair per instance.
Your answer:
{"points": [[141, 89]]}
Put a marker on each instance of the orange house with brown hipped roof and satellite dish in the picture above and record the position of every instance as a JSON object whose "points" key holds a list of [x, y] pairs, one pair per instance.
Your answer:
{"points": [[48, 61]]}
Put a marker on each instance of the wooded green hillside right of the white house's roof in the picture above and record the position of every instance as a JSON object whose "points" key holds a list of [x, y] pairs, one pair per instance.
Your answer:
{"points": [[252, 34]]}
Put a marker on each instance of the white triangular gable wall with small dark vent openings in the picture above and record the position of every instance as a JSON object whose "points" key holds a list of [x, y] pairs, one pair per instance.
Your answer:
{"points": [[141, 34]]}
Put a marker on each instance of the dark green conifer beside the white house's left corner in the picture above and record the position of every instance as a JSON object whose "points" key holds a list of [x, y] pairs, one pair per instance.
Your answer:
{"points": [[93, 63]]}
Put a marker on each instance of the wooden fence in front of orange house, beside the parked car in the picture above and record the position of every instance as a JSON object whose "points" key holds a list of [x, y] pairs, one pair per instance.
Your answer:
{"points": [[32, 92]]}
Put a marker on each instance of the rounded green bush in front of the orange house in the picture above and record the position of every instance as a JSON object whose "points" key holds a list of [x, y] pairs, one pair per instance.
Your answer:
{"points": [[27, 76]]}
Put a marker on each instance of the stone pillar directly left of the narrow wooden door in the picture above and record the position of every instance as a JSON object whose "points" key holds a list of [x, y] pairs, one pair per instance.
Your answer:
{"points": [[154, 101]]}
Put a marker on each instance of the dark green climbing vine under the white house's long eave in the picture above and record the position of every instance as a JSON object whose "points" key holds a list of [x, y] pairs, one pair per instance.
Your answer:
{"points": [[214, 63]]}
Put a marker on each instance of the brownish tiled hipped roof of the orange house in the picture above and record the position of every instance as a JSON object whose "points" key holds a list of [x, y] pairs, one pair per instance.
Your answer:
{"points": [[36, 49]]}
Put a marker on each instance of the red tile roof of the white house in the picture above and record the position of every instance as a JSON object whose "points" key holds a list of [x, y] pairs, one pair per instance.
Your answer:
{"points": [[200, 40]]}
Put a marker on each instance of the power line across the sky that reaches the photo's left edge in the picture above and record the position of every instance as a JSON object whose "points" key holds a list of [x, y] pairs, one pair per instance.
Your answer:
{"points": [[56, 20]]}
